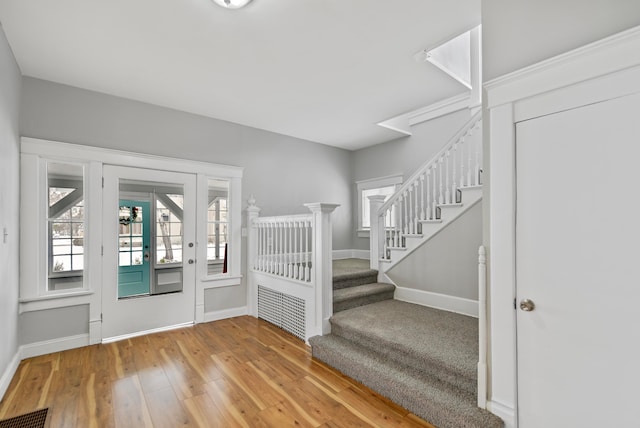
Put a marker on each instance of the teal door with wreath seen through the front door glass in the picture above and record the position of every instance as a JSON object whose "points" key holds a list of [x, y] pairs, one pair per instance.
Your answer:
{"points": [[133, 248]]}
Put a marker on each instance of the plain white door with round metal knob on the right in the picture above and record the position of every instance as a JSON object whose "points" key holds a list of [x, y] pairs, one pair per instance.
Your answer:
{"points": [[578, 265]]}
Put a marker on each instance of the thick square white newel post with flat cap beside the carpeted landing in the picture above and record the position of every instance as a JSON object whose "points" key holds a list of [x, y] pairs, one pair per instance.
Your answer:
{"points": [[322, 268]]}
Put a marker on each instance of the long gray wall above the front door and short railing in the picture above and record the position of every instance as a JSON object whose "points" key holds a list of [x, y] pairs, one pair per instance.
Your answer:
{"points": [[281, 172]]}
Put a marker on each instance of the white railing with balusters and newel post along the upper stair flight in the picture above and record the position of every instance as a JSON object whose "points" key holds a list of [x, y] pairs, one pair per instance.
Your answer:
{"points": [[439, 192]]}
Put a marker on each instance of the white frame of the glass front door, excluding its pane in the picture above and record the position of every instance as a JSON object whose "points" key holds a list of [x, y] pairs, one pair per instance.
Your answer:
{"points": [[140, 315]]}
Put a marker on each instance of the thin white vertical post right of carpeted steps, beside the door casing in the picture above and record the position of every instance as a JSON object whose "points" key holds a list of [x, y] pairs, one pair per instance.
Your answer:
{"points": [[482, 328]]}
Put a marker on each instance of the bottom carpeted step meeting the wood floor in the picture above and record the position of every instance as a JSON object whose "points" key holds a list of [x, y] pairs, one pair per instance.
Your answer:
{"points": [[437, 402]]}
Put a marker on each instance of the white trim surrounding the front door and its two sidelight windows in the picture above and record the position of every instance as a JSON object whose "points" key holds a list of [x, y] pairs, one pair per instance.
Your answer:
{"points": [[34, 267]]}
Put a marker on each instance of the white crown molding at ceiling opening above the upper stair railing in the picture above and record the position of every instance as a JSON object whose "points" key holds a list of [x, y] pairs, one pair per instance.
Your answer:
{"points": [[403, 123]]}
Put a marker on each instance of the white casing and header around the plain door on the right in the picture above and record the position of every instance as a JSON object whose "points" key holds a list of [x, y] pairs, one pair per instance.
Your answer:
{"points": [[571, 80]]}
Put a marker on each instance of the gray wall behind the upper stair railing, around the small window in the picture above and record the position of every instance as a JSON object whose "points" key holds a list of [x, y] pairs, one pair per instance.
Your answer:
{"points": [[404, 155]]}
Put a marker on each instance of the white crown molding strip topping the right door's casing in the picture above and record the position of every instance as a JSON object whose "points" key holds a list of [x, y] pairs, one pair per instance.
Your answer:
{"points": [[599, 58]]}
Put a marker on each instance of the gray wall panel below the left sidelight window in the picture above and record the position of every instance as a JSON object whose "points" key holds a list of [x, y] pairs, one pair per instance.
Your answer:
{"points": [[39, 326]]}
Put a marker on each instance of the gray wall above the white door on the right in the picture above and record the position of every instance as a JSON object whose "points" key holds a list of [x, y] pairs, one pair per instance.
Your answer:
{"points": [[518, 33]]}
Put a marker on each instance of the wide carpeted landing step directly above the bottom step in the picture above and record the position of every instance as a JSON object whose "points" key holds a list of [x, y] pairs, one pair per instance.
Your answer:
{"points": [[441, 343]]}
